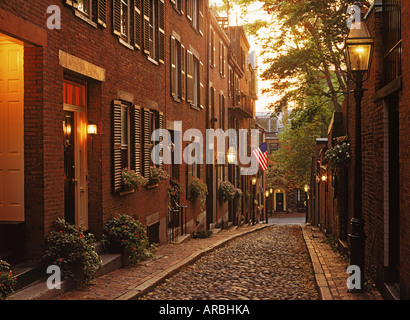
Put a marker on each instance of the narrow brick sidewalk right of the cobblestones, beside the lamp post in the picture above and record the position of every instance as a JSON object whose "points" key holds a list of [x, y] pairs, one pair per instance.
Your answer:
{"points": [[331, 269]]}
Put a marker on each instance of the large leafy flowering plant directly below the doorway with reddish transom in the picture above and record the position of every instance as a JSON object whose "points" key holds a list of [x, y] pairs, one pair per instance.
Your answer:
{"points": [[72, 250]]}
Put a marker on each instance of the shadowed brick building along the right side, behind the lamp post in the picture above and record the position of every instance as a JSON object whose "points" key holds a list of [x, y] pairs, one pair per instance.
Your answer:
{"points": [[385, 156]]}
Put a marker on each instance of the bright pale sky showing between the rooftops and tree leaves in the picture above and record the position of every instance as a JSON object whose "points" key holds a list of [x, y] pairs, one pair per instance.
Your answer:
{"points": [[235, 18]]}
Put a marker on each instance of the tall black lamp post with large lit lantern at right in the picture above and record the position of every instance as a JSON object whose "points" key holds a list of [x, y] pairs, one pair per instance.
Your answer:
{"points": [[359, 47]]}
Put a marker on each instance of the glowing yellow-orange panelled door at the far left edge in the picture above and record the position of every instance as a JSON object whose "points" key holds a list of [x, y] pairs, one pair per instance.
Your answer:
{"points": [[11, 130]]}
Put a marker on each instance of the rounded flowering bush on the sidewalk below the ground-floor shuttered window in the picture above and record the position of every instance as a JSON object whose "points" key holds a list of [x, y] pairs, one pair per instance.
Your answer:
{"points": [[124, 234]]}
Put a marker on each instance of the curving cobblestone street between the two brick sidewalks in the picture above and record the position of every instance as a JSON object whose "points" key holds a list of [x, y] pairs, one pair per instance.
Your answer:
{"points": [[270, 264]]}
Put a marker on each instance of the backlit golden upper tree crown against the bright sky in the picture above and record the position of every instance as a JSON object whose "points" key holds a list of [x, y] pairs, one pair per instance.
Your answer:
{"points": [[302, 45]]}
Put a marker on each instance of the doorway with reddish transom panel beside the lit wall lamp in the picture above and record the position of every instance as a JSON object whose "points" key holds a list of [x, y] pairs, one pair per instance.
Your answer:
{"points": [[75, 154]]}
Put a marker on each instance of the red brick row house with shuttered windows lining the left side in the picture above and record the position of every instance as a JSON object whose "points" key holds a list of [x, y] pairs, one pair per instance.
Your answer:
{"points": [[127, 66]]}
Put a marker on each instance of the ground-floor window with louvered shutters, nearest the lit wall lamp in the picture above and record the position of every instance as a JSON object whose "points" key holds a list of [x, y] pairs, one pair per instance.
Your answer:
{"points": [[132, 129]]}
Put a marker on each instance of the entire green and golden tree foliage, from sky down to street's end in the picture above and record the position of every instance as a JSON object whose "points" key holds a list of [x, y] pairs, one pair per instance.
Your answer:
{"points": [[302, 45]]}
